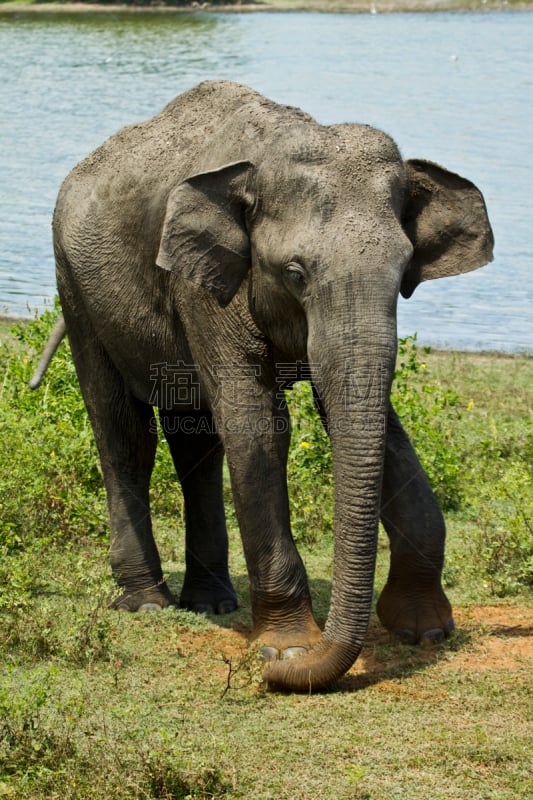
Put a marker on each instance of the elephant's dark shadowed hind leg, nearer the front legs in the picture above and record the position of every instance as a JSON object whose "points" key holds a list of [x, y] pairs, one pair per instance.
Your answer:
{"points": [[198, 455]]}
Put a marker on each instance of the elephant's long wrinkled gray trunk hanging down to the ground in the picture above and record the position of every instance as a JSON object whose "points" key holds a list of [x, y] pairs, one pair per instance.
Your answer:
{"points": [[354, 386]]}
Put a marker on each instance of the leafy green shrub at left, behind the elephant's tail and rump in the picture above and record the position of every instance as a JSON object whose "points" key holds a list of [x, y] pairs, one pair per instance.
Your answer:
{"points": [[53, 484]]}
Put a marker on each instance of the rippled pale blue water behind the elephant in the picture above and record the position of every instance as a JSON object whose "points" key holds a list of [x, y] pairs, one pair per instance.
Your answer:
{"points": [[454, 88]]}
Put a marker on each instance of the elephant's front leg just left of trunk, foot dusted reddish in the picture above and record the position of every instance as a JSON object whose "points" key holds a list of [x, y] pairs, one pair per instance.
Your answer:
{"points": [[256, 441]]}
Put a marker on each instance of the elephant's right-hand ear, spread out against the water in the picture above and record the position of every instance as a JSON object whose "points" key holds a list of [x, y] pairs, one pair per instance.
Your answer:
{"points": [[446, 220]]}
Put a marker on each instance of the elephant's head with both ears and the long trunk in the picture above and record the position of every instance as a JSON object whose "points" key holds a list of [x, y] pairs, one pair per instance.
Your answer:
{"points": [[319, 230]]}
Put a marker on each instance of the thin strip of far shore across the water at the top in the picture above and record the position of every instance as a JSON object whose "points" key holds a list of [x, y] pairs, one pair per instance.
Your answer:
{"points": [[270, 6]]}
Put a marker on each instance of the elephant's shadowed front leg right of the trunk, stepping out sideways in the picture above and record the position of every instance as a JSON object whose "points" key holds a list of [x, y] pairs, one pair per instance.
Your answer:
{"points": [[412, 605]]}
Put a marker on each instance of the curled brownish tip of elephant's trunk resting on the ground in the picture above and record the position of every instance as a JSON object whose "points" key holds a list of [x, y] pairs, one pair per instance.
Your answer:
{"points": [[325, 663]]}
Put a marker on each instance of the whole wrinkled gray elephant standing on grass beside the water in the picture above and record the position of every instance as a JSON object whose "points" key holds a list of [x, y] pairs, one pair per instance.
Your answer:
{"points": [[236, 241]]}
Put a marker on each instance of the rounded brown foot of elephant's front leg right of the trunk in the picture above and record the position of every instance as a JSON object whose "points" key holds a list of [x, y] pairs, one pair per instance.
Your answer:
{"points": [[415, 615]]}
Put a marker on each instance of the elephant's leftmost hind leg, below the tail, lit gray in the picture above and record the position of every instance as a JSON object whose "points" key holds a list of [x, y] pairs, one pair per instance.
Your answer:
{"points": [[126, 439]]}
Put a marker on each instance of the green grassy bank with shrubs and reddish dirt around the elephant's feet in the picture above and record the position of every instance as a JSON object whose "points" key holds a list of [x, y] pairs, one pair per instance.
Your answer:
{"points": [[99, 704]]}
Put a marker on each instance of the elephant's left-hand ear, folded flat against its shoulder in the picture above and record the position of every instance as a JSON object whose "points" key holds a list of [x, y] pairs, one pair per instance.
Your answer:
{"points": [[204, 236]]}
